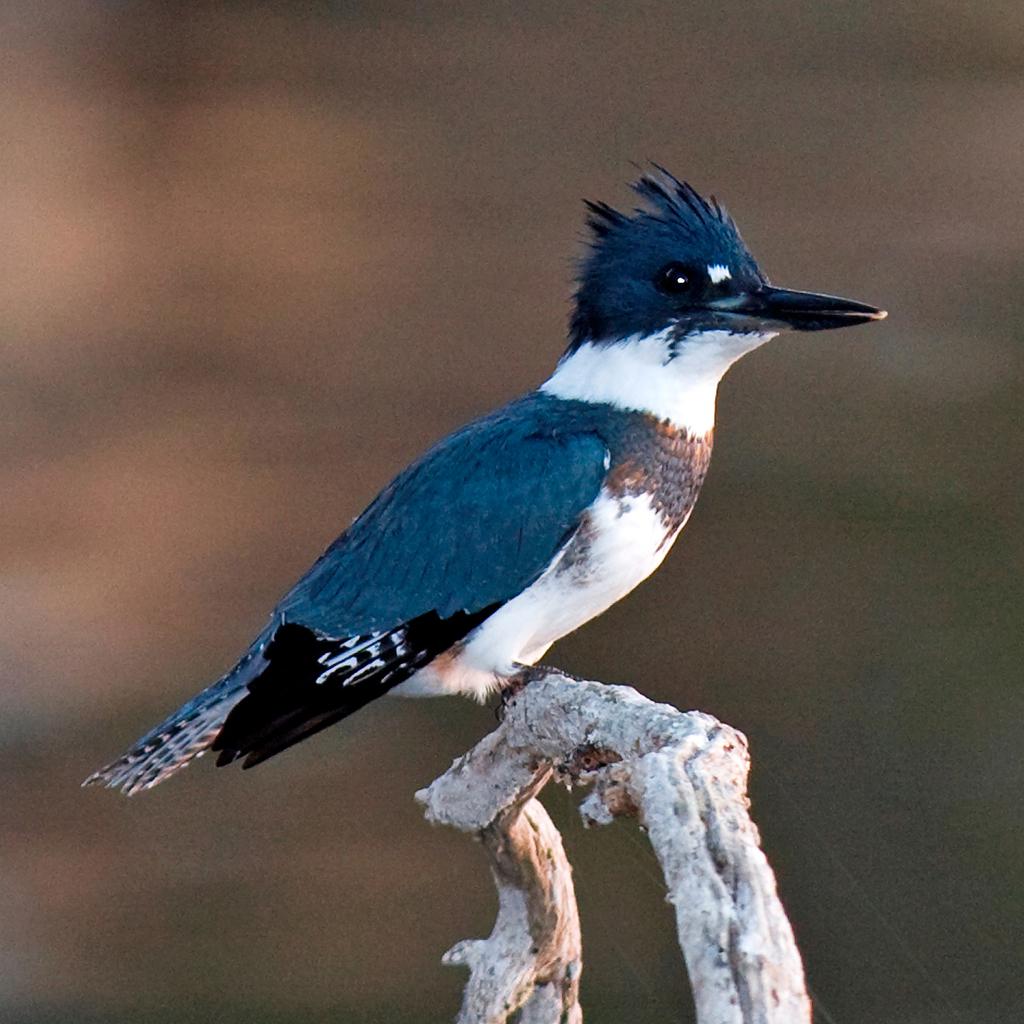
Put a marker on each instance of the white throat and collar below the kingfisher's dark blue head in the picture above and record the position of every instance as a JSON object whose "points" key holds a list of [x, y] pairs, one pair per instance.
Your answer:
{"points": [[642, 374]]}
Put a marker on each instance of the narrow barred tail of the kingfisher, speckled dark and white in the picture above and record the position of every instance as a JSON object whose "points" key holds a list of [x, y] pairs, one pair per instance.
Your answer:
{"points": [[183, 737]]}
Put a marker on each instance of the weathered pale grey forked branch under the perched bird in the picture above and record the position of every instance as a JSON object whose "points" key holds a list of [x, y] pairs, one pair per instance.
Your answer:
{"points": [[685, 778]]}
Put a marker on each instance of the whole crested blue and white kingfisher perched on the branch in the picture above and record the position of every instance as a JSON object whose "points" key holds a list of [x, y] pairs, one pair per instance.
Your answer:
{"points": [[520, 528]]}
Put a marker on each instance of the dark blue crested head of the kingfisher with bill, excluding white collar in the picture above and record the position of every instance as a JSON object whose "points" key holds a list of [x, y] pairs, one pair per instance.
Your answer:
{"points": [[679, 266]]}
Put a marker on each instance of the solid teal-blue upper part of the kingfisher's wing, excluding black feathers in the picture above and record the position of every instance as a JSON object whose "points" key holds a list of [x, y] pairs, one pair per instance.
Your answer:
{"points": [[466, 528]]}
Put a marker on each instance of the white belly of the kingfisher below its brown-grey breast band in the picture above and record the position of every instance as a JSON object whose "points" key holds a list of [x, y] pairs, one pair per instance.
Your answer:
{"points": [[623, 541]]}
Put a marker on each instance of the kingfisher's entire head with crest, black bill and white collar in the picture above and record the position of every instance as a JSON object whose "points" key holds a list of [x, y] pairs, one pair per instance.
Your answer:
{"points": [[668, 298]]}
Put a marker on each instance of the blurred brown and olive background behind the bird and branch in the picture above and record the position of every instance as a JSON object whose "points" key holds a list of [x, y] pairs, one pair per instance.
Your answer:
{"points": [[255, 259]]}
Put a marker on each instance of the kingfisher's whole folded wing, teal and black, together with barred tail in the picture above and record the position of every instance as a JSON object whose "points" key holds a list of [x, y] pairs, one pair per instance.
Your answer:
{"points": [[464, 530]]}
